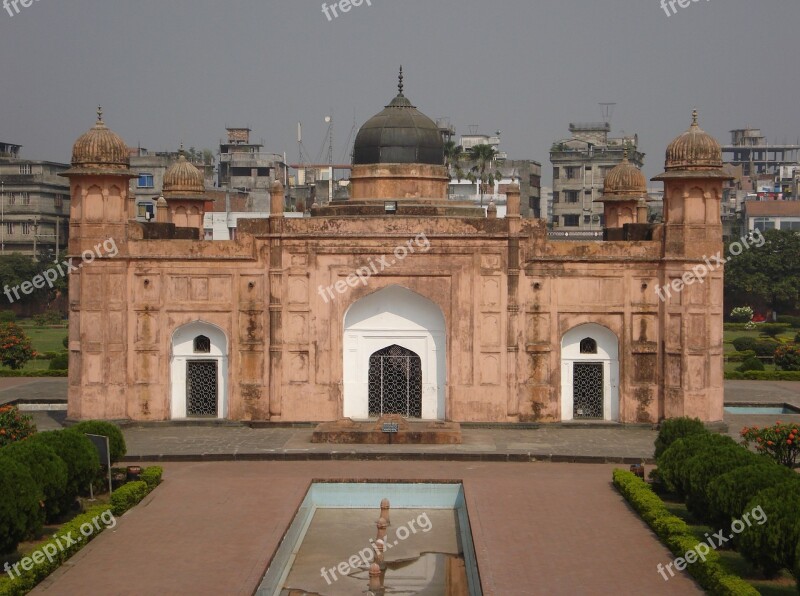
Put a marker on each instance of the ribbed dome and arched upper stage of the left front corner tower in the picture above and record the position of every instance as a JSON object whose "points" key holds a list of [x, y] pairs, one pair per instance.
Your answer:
{"points": [[99, 187]]}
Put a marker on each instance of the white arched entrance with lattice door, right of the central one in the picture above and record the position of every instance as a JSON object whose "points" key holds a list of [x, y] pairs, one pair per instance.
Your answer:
{"points": [[589, 374]]}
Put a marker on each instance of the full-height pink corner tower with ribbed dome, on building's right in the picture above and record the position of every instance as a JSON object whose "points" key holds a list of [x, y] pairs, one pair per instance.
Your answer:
{"points": [[691, 281]]}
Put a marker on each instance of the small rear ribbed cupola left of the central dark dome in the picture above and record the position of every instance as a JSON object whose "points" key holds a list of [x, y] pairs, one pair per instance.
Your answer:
{"points": [[185, 193]]}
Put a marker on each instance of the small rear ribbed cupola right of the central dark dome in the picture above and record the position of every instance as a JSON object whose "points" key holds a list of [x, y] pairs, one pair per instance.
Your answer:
{"points": [[625, 188]]}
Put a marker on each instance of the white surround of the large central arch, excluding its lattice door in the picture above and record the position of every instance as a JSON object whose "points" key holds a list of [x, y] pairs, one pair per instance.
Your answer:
{"points": [[394, 316]]}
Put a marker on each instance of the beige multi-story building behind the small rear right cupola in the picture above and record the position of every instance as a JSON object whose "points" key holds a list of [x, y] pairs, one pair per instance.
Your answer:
{"points": [[580, 164]]}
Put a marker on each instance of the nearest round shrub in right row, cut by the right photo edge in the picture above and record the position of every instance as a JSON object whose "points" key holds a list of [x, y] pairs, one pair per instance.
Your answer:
{"points": [[772, 544]]}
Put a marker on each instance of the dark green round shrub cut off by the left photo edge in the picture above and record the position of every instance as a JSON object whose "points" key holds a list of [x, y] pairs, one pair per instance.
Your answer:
{"points": [[21, 515]]}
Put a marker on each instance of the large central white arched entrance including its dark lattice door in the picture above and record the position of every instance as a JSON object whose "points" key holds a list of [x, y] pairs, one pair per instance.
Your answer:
{"points": [[394, 356]]}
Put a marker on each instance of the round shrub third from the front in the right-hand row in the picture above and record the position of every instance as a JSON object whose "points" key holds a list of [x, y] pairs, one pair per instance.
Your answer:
{"points": [[705, 467]]}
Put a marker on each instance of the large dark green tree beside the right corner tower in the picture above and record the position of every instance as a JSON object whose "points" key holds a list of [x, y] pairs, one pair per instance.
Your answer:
{"points": [[769, 275]]}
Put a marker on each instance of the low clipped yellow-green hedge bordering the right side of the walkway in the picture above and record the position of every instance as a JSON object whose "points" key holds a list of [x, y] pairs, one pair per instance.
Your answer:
{"points": [[676, 535]]}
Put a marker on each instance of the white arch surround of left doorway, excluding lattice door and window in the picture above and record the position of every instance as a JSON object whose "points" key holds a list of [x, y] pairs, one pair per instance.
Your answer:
{"points": [[182, 351]]}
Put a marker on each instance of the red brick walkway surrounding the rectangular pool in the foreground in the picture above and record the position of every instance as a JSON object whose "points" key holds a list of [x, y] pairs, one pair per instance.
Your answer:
{"points": [[211, 528]]}
